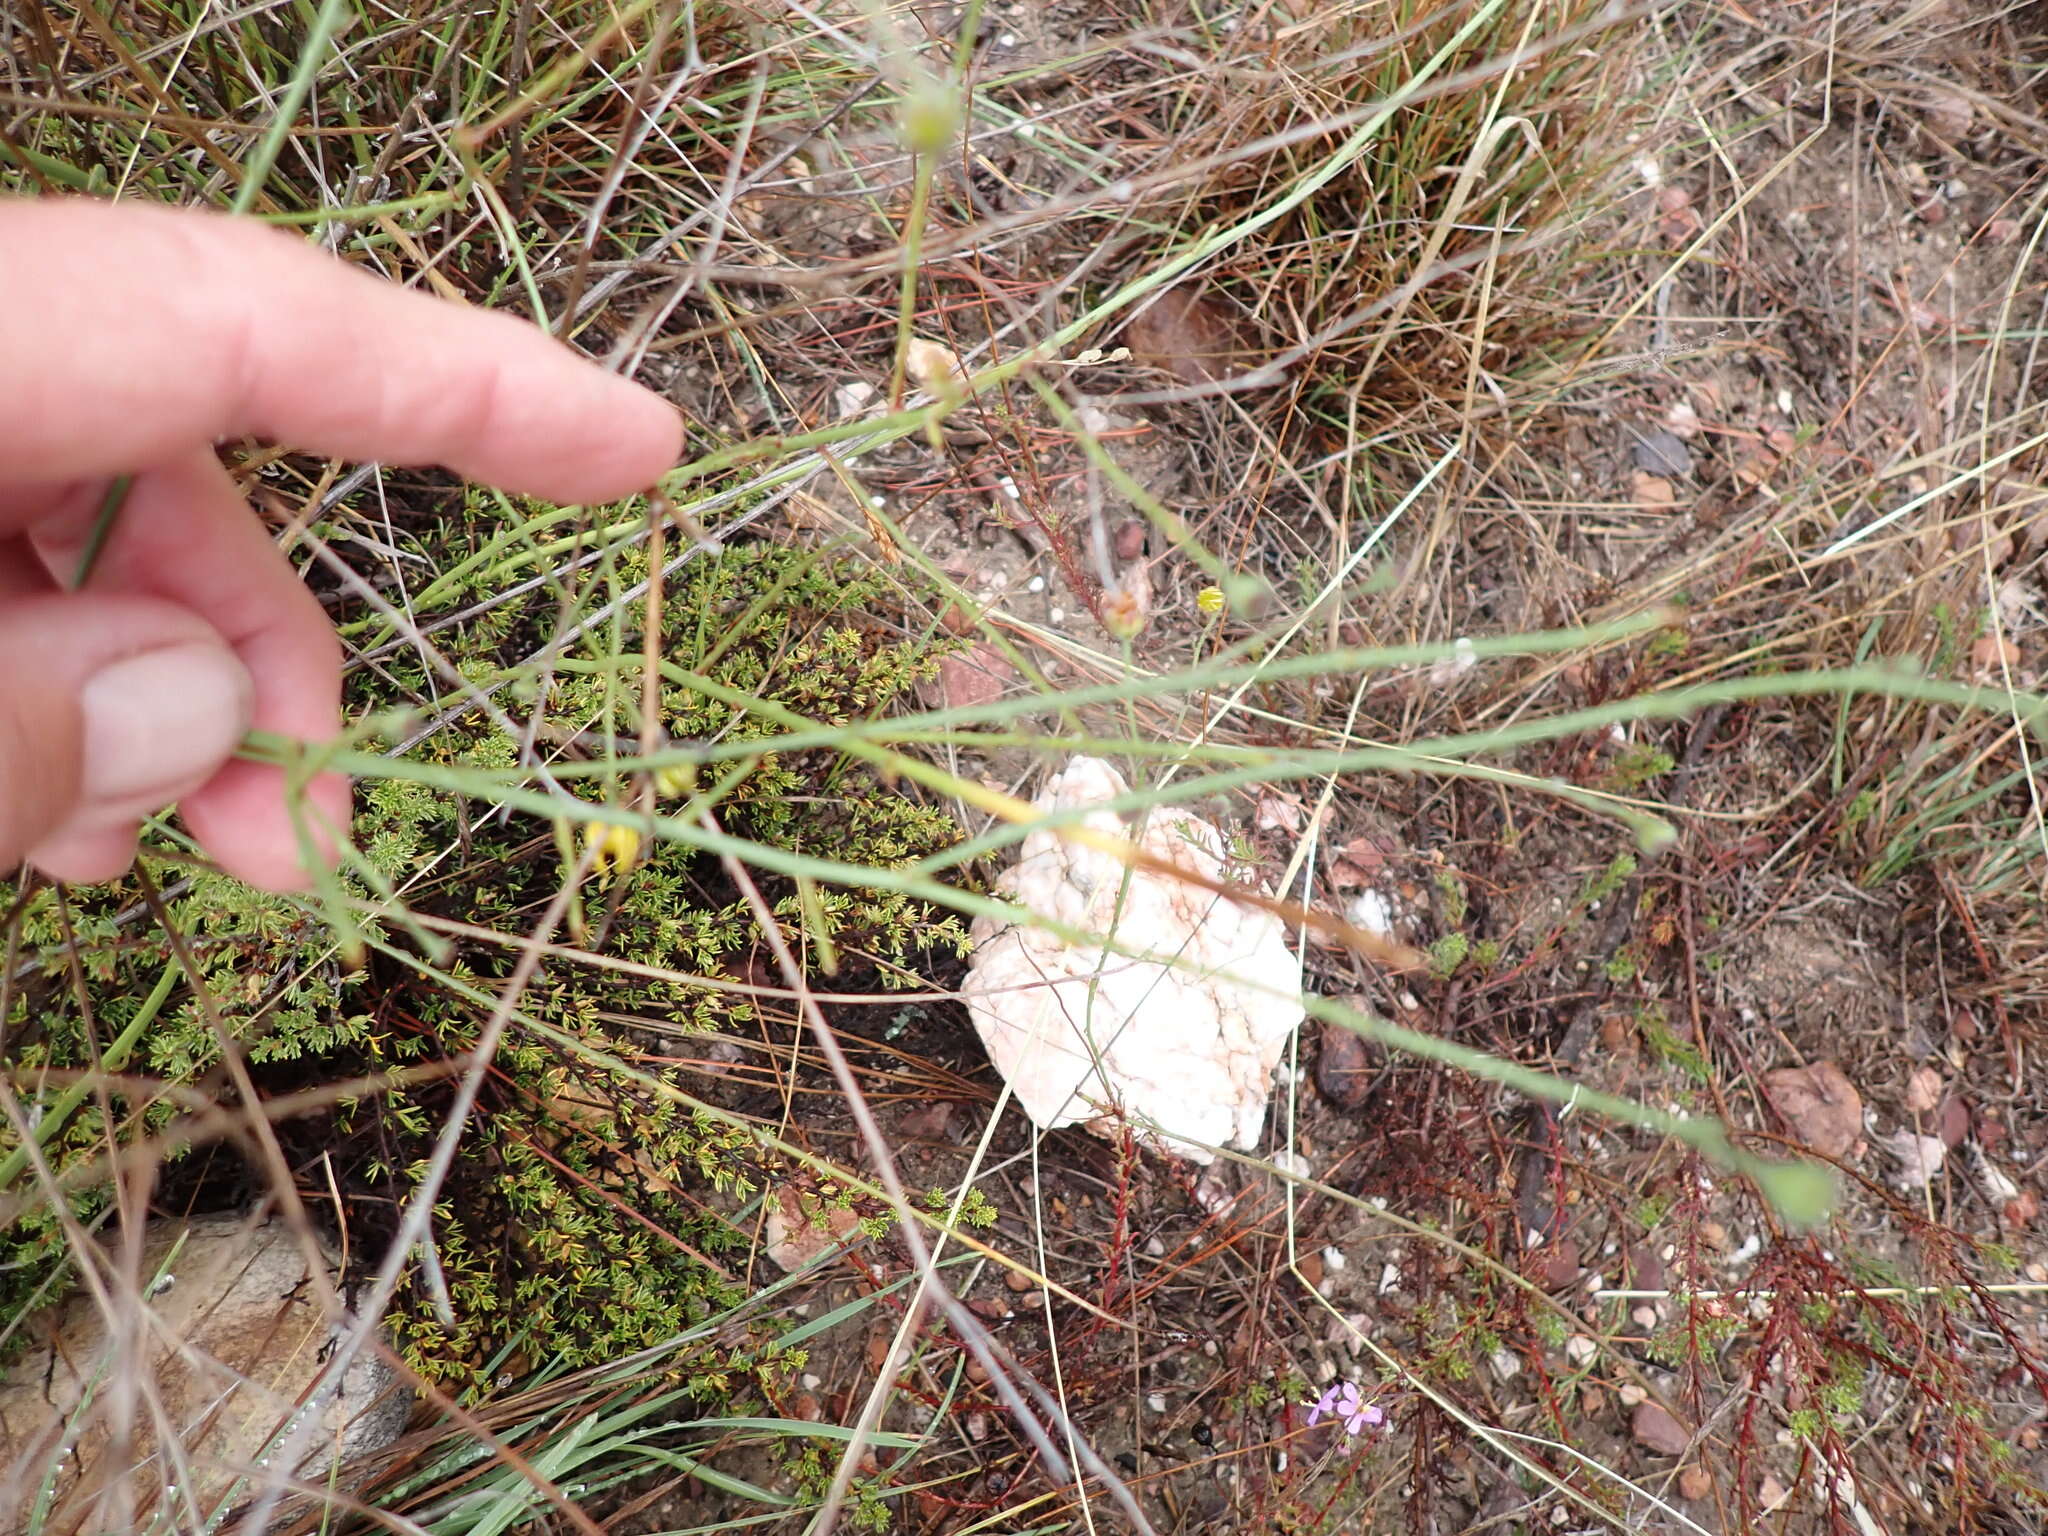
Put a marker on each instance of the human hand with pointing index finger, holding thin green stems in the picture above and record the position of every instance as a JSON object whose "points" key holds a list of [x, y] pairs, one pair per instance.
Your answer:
{"points": [[132, 341]]}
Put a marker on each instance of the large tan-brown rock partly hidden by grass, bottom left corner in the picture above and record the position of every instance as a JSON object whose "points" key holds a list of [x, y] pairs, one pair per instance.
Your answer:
{"points": [[232, 1340]]}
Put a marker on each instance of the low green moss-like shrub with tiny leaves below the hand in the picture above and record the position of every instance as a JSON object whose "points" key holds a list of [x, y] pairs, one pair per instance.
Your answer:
{"points": [[585, 1215]]}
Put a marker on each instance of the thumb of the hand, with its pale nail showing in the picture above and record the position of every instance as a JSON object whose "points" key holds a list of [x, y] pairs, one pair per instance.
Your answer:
{"points": [[112, 708]]}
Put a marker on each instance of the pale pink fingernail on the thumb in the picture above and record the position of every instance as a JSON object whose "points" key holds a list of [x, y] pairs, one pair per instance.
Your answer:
{"points": [[161, 724]]}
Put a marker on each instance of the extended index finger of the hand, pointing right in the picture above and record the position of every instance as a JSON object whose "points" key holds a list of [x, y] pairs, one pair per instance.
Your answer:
{"points": [[134, 333]]}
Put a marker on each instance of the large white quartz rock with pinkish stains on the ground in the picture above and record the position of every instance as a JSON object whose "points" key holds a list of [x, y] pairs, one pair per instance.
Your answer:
{"points": [[1183, 1043]]}
